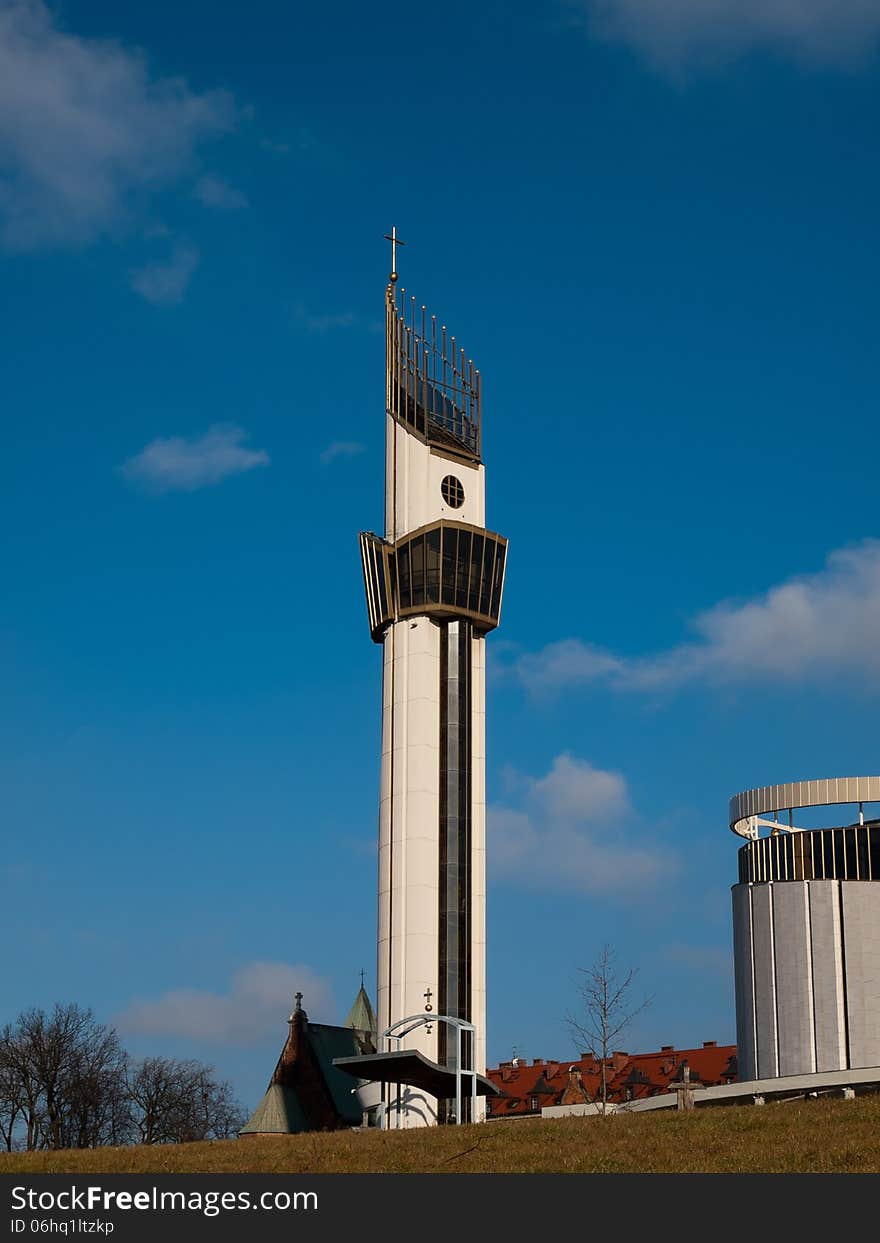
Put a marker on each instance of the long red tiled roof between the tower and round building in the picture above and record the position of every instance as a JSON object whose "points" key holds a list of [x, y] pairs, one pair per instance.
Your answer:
{"points": [[630, 1077]]}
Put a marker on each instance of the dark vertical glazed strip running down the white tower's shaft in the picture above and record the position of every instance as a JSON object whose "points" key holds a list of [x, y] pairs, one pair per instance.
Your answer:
{"points": [[454, 971]]}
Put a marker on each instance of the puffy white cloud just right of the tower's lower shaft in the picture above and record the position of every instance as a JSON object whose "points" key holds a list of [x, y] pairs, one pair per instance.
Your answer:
{"points": [[576, 831]]}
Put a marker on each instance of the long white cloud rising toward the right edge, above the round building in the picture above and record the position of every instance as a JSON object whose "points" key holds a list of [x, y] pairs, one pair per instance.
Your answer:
{"points": [[811, 628]]}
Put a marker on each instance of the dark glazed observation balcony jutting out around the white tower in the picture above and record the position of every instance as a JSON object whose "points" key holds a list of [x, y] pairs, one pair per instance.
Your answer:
{"points": [[444, 570]]}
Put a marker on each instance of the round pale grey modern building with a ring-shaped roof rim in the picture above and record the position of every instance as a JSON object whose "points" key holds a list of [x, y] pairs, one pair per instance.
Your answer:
{"points": [[807, 930]]}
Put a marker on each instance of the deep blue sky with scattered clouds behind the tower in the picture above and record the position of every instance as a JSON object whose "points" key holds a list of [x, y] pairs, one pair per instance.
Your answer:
{"points": [[654, 227]]}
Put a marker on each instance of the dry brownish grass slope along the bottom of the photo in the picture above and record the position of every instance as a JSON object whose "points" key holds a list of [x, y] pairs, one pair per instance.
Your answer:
{"points": [[820, 1137]]}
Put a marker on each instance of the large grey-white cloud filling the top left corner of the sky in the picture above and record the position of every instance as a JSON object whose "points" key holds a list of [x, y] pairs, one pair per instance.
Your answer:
{"points": [[86, 131]]}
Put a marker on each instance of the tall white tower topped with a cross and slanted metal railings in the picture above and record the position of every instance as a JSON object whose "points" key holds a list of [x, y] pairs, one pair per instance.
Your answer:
{"points": [[434, 589]]}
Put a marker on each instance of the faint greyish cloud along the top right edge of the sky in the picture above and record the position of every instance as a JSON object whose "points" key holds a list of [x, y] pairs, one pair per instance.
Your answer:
{"points": [[678, 34]]}
